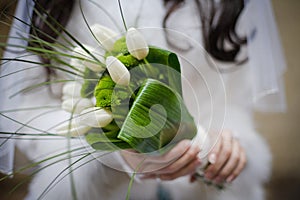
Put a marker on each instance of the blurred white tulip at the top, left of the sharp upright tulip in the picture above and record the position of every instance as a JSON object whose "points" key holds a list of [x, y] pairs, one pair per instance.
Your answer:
{"points": [[105, 36]]}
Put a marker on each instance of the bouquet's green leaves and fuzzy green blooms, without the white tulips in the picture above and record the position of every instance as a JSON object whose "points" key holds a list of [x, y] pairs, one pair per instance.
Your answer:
{"points": [[154, 116]]}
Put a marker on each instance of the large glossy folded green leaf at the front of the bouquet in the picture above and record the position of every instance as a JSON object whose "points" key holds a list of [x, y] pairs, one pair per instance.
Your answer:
{"points": [[157, 117]]}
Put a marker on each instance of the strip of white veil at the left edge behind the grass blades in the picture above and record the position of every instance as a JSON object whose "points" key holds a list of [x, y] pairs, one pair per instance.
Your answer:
{"points": [[19, 29]]}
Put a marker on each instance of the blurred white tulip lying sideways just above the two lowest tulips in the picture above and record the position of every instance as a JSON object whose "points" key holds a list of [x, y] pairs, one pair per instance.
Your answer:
{"points": [[76, 105]]}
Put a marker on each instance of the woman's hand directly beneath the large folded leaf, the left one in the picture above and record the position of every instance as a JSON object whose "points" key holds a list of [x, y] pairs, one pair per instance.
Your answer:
{"points": [[181, 160]]}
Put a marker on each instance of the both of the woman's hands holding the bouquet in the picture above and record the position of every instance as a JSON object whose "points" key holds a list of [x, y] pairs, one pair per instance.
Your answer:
{"points": [[227, 160]]}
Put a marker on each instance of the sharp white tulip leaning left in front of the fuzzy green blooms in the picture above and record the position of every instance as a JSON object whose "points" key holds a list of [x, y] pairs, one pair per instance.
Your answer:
{"points": [[117, 70]]}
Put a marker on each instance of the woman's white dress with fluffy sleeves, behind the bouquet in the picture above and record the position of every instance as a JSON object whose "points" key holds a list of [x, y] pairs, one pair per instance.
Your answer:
{"points": [[215, 100]]}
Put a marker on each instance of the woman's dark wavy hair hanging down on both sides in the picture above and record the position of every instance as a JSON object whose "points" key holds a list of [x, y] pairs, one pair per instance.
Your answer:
{"points": [[218, 24]]}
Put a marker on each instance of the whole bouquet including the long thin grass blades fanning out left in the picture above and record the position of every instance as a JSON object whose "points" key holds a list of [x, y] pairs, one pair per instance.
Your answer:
{"points": [[123, 94]]}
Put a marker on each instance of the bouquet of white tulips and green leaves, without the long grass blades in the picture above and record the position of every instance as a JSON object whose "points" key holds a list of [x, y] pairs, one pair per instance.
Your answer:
{"points": [[137, 94]]}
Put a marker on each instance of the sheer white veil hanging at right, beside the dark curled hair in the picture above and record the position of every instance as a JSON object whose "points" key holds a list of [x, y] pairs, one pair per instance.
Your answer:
{"points": [[266, 58]]}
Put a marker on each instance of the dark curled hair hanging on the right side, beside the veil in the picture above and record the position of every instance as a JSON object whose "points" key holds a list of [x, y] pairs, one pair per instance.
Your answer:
{"points": [[218, 26]]}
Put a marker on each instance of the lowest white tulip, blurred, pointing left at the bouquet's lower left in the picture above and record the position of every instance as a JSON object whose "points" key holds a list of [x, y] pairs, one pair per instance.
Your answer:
{"points": [[72, 129]]}
